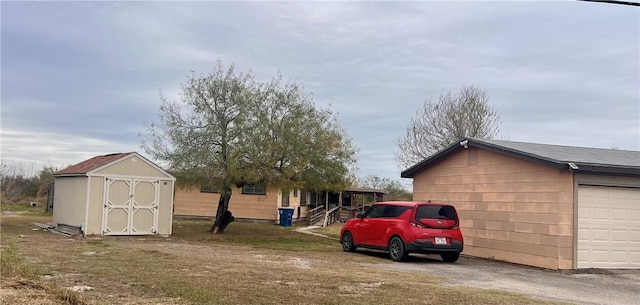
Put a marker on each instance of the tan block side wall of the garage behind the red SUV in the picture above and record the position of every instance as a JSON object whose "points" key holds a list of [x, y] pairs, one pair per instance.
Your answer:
{"points": [[510, 209]]}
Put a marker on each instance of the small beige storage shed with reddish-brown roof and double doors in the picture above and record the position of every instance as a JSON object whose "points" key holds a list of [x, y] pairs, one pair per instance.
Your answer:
{"points": [[114, 194]]}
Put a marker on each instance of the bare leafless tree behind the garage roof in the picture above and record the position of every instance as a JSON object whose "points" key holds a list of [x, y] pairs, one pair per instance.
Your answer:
{"points": [[440, 122]]}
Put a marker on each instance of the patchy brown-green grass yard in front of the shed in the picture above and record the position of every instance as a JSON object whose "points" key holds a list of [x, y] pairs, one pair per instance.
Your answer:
{"points": [[249, 264]]}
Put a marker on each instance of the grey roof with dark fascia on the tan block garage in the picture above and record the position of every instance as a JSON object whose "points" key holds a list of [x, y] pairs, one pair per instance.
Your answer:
{"points": [[585, 159]]}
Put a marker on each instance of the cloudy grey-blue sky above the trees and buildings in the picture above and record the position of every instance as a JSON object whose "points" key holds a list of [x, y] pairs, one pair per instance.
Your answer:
{"points": [[81, 79]]}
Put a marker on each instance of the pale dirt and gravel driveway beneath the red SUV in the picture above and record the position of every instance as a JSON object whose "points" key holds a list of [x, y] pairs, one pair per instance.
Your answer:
{"points": [[620, 287]]}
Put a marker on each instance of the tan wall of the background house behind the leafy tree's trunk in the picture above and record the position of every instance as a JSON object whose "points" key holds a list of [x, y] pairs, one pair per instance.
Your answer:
{"points": [[192, 202]]}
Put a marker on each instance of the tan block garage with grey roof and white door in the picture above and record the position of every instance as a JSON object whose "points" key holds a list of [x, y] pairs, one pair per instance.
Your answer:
{"points": [[550, 206]]}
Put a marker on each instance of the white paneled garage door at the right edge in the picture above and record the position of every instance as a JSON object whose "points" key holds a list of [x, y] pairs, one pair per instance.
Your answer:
{"points": [[608, 227]]}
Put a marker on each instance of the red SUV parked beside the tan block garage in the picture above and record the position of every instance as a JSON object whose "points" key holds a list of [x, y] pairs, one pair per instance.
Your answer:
{"points": [[406, 227]]}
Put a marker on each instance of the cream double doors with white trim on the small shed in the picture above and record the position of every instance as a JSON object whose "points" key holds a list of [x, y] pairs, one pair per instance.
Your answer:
{"points": [[130, 207]]}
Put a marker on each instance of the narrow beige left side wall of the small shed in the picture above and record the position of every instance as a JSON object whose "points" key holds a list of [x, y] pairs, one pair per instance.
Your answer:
{"points": [[69, 201]]}
